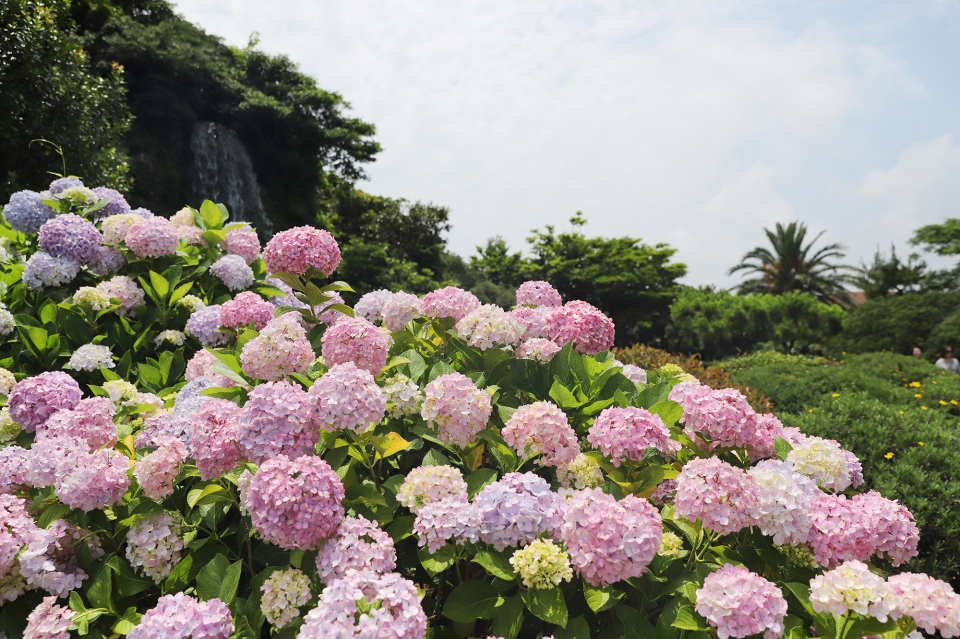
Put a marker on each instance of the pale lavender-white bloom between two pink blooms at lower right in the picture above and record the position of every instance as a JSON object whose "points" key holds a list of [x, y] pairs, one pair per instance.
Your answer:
{"points": [[785, 501]]}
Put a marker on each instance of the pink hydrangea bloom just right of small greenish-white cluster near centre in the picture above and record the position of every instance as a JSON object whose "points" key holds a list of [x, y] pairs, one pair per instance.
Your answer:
{"points": [[456, 408]]}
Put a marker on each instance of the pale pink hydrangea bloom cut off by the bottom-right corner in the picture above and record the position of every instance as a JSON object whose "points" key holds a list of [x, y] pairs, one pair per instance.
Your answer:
{"points": [[931, 603]]}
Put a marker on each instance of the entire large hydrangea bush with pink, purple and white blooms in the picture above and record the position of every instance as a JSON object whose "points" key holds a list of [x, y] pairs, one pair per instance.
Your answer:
{"points": [[200, 442]]}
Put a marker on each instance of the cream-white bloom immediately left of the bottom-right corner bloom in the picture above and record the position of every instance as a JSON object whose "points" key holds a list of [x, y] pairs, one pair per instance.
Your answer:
{"points": [[851, 586]]}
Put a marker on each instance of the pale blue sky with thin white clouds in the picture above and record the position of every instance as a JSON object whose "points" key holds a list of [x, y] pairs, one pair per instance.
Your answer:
{"points": [[694, 123]]}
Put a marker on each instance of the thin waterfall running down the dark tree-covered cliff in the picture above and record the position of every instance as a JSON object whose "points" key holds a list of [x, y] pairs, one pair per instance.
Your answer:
{"points": [[222, 172]]}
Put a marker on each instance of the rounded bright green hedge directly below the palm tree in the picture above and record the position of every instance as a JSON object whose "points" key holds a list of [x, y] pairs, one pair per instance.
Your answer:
{"points": [[717, 324]]}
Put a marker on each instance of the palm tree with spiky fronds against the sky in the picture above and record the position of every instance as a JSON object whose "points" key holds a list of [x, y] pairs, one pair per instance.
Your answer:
{"points": [[793, 266]]}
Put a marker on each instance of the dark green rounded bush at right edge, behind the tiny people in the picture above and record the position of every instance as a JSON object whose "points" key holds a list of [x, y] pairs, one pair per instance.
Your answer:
{"points": [[899, 323]]}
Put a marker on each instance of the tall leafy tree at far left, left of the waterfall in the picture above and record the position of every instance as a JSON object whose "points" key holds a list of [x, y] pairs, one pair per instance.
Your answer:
{"points": [[51, 93]]}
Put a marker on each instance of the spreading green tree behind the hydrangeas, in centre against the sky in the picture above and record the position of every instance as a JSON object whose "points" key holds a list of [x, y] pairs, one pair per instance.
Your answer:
{"points": [[632, 282]]}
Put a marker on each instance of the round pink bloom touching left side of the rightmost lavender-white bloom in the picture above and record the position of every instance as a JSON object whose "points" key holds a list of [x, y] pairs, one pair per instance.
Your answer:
{"points": [[722, 496]]}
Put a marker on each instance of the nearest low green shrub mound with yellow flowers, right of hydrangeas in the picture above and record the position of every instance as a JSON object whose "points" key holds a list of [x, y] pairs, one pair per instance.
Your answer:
{"points": [[923, 477]]}
